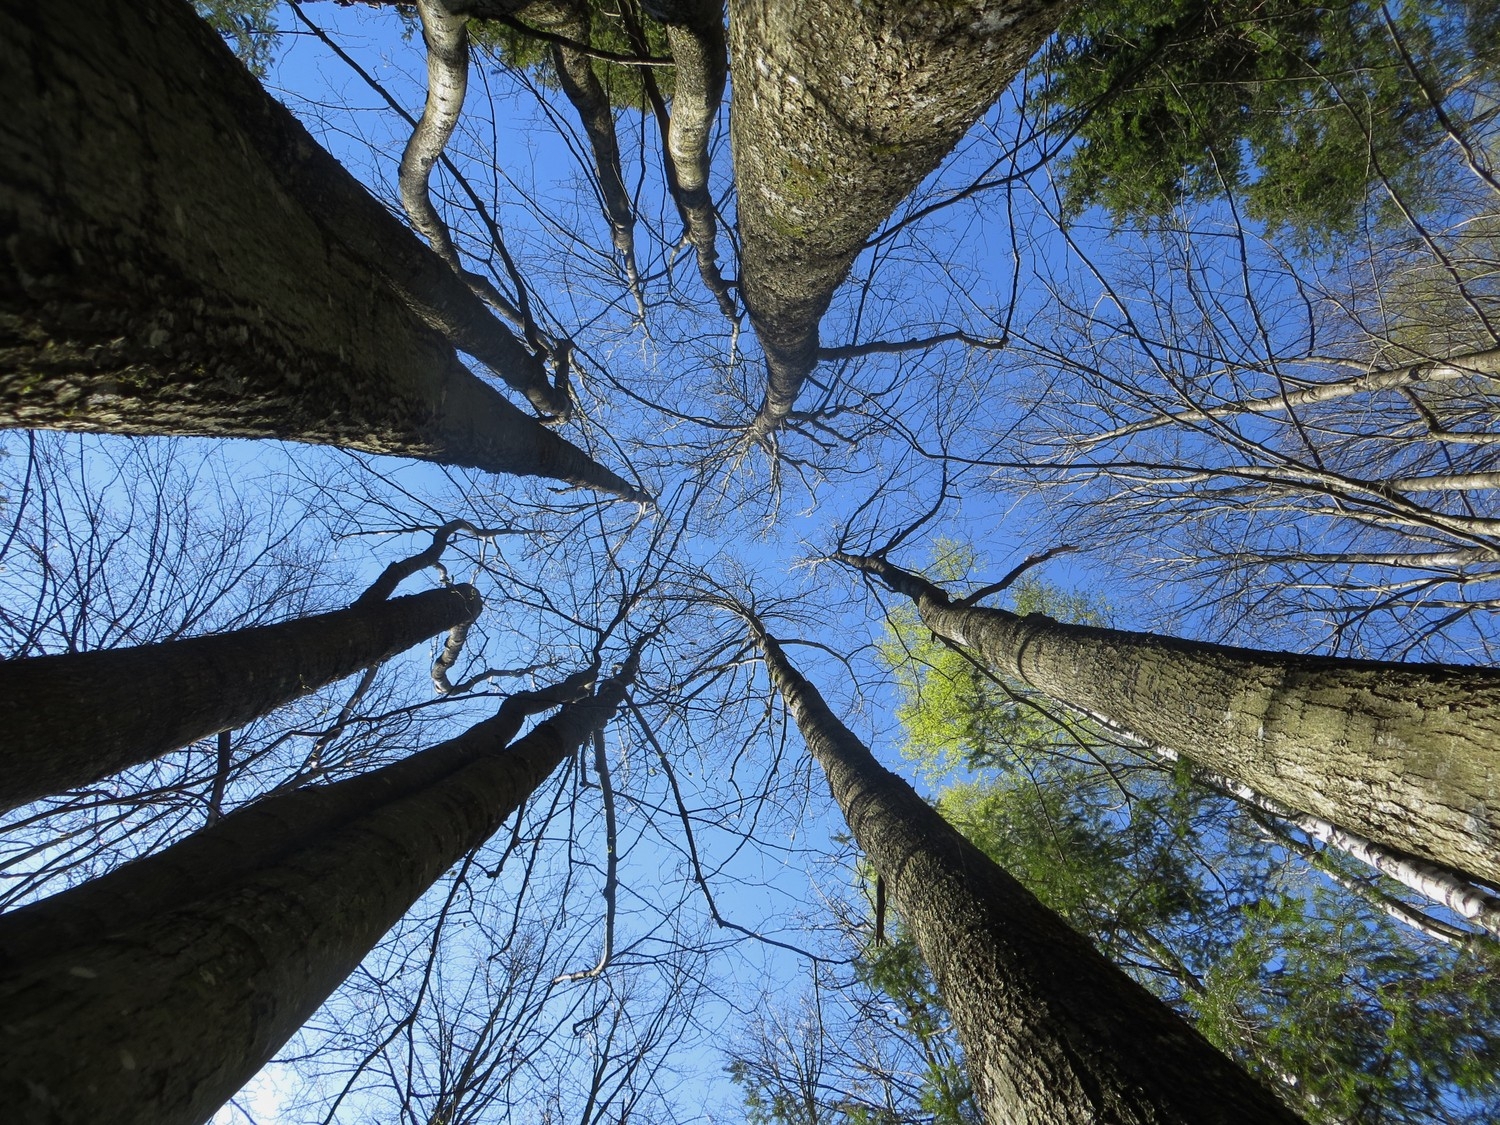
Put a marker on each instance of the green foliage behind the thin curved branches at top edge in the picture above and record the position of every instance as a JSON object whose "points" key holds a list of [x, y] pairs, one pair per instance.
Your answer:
{"points": [[623, 85]]}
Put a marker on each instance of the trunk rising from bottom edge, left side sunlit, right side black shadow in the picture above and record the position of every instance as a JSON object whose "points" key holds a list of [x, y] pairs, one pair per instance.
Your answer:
{"points": [[1052, 1031]]}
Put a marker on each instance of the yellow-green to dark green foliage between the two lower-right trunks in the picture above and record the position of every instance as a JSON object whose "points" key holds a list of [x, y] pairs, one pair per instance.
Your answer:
{"points": [[1352, 1018]]}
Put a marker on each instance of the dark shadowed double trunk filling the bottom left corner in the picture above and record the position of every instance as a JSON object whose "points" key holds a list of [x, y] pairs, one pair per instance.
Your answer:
{"points": [[154, 994]]}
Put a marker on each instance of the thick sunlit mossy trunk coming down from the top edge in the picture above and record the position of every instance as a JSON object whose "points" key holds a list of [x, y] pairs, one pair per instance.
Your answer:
{"points": [[839, 112]]}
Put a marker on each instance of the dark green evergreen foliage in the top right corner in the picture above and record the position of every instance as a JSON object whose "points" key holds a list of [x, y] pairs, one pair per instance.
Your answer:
{"points": [[1301, 109]]}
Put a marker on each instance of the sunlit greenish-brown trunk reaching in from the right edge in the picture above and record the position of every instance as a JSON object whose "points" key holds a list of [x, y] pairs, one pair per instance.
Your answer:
{"points": [[1405, 755]]}
